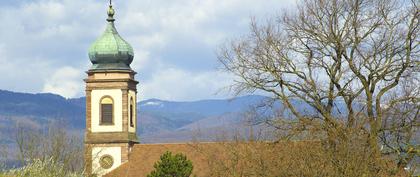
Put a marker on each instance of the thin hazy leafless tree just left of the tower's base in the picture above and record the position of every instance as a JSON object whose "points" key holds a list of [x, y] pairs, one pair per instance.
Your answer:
{"points": [[55, 144]]}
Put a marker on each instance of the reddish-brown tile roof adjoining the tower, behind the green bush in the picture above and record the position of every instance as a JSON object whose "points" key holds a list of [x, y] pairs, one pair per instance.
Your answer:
{"points": [[202, 155]]}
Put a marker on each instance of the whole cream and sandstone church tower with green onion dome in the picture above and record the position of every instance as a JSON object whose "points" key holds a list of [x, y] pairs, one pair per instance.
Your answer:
{"points": [[110, 102]]}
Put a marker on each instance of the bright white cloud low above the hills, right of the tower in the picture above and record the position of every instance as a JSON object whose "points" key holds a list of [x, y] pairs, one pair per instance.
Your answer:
{"points": [[176, 84]]}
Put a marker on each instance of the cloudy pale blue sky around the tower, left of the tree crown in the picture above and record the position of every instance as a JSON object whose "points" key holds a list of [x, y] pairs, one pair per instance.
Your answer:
{"points": [[44, 43]]}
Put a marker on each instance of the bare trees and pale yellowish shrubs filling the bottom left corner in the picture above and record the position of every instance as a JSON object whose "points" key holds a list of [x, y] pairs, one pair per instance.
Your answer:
{"points": [[49, 152]]}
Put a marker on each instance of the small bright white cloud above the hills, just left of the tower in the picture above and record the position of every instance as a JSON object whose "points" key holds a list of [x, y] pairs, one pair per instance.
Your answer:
{"points": [[65, 81]]}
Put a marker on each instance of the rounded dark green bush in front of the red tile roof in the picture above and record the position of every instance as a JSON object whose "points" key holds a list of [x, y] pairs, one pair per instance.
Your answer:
{"points": [[172, 166]]}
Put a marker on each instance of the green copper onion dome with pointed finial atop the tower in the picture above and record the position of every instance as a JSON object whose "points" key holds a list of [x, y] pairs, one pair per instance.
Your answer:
{"points": [[110, 51]]}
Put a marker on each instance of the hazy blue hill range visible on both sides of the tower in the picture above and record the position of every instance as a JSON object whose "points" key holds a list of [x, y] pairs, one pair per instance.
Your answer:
{"points": [[156, 117]]}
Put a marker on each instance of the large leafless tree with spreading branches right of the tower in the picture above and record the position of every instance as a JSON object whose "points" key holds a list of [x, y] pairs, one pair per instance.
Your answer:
{"points": [[329, 53]]}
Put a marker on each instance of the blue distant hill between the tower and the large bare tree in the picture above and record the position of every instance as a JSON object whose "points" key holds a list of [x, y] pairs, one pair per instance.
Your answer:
{"points": [[168, 121]]}
